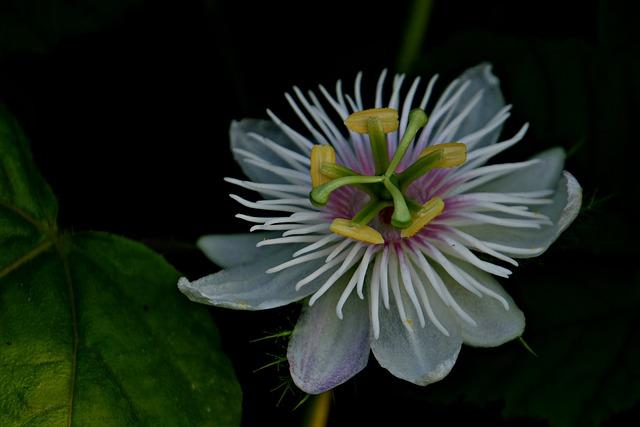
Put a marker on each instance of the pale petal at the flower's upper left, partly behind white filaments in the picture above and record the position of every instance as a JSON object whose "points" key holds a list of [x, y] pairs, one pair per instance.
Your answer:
{"points": [[242, 139]]}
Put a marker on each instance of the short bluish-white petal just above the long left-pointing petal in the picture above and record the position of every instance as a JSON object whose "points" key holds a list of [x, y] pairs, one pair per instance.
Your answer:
{"points": [[228, 250]]}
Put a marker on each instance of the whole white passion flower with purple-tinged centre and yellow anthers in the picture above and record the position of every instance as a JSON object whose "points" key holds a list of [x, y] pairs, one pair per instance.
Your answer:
{"points": [[392, 224]]}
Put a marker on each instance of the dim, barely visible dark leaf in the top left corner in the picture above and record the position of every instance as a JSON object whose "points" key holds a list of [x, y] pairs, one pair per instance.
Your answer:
{"points": [[38, 25]]}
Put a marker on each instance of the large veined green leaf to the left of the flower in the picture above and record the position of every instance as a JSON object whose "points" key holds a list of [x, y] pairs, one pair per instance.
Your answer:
{"points": [[93, 330]]}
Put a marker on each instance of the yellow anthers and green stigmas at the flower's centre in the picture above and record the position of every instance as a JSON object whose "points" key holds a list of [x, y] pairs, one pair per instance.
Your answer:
{"points": [[387, 189]]}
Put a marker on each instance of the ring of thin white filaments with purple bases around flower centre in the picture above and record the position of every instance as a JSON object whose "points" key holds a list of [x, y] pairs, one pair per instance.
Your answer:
{"points": [[406, 272]]}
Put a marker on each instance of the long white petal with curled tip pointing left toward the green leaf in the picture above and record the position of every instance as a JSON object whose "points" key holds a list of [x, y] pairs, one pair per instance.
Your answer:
{"points": [[248, 287]]}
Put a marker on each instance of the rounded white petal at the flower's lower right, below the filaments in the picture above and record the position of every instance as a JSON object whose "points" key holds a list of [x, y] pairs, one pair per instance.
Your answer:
{"points": [[495, 325]]}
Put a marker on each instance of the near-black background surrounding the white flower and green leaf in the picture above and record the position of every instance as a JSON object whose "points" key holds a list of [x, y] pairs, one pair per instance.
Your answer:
{"points": [[128, 103]]}
